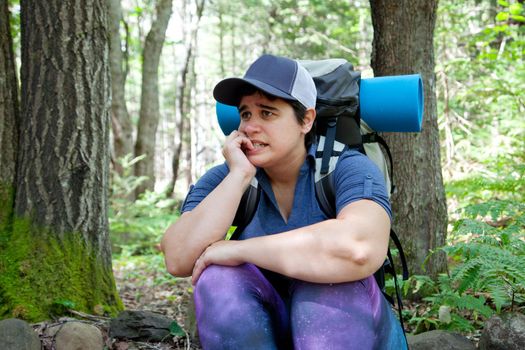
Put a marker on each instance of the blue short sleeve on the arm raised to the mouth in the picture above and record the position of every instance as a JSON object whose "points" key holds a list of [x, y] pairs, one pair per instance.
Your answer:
{"points": [[206, 184]]}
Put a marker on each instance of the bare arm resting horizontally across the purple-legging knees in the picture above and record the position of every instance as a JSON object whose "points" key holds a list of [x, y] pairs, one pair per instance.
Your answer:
{"points": [[349, 248]]}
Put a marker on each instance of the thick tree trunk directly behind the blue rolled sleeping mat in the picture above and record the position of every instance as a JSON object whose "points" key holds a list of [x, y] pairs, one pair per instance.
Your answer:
{"points": [[403, 44]]}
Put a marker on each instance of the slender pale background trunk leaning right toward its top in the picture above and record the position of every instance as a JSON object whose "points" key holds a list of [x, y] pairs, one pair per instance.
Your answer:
{"points": [[149, 101]]}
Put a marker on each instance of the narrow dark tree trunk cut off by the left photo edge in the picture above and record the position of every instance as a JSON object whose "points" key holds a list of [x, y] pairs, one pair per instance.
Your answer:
{"points": [[9, 118]]}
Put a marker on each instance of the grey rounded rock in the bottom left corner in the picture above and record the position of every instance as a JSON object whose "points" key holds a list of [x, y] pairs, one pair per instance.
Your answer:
{"points": [[16, 334]]}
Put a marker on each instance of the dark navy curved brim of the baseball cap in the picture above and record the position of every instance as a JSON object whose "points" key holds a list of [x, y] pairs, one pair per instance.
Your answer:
{"points": [[228, 90]]}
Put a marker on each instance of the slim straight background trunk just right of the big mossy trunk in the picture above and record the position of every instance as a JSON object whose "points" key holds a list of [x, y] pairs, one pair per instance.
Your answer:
{"points": [[120, 120]]}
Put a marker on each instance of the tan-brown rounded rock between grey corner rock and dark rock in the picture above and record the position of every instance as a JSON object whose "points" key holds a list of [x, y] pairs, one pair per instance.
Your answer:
{"points": [[78, 336]]}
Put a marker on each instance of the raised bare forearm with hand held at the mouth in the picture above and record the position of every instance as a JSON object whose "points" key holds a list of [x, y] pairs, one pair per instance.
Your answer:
{"points": [[186, 239]]}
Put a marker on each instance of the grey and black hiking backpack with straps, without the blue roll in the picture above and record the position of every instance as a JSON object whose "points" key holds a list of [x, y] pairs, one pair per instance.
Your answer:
{"points": [[338, 127]]}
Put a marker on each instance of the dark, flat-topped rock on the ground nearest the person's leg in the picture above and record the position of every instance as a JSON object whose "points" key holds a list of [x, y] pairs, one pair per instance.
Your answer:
{"points": [[140, 325]]}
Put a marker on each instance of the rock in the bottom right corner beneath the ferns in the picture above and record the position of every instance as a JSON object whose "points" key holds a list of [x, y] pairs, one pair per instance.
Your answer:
{"points": [[505, 332]]}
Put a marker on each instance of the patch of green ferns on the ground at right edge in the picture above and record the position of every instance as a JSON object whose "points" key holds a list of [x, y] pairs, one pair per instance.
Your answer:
{"points": [[487, 261]]}
